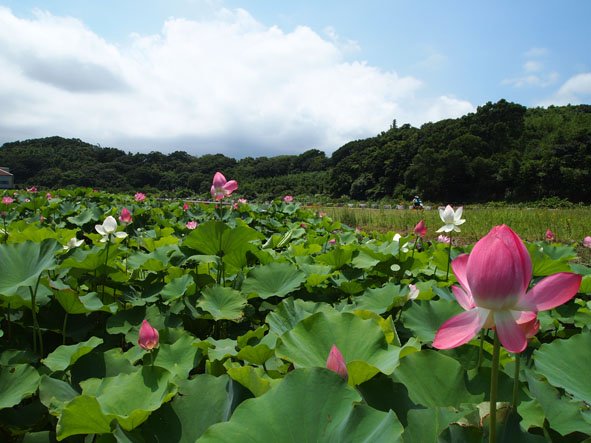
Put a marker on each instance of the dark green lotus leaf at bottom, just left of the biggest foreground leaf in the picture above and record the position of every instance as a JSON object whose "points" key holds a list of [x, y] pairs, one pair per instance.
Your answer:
{"points": [[202, 402]]}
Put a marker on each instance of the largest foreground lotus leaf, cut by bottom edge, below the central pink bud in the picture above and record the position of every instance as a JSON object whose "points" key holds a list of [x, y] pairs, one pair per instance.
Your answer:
{"points": [[309, 405]]}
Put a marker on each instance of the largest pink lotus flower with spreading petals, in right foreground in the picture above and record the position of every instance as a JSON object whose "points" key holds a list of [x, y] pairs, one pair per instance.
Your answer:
{"points": [[494, 279]]}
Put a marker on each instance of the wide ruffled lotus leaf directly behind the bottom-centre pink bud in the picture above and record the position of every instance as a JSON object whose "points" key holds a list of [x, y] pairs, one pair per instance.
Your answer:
{"points": [[360, 341]]}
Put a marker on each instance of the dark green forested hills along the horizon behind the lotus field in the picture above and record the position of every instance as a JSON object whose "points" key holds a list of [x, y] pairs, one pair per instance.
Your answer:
{"points": [[503, 151]]}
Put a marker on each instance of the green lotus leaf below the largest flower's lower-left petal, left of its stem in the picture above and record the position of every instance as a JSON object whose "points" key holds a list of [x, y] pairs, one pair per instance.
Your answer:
{"points": [[434, 380]]}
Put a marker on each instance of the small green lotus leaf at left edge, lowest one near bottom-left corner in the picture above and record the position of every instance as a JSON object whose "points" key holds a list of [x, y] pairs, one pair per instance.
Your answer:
{"points": [[16, 383]]}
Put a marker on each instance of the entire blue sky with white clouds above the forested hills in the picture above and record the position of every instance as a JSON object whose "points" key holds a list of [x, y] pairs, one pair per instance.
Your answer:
{"points": [[246, 77]]}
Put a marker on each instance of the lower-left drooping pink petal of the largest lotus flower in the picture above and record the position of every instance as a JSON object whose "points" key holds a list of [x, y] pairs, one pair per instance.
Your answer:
{"points": [[460, 329]]}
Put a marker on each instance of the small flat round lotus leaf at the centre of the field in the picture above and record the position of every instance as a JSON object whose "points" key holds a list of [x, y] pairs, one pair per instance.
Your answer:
{"points": [[274, 279]]}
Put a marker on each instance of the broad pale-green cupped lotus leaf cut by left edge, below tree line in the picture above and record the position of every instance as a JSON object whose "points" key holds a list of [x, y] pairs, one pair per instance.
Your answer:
{"points": [[21, 264]]}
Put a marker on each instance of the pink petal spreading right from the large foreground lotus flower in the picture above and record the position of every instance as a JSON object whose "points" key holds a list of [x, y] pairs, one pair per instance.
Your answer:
{"points": [[550, 292]]}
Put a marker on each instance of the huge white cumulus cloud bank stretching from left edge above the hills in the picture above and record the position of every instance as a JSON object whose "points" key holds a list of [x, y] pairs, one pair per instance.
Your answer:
{"points": [[226, 84]]}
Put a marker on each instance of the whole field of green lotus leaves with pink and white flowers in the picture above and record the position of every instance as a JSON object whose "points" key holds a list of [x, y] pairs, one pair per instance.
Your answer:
{"points": [[131, 319]]}
